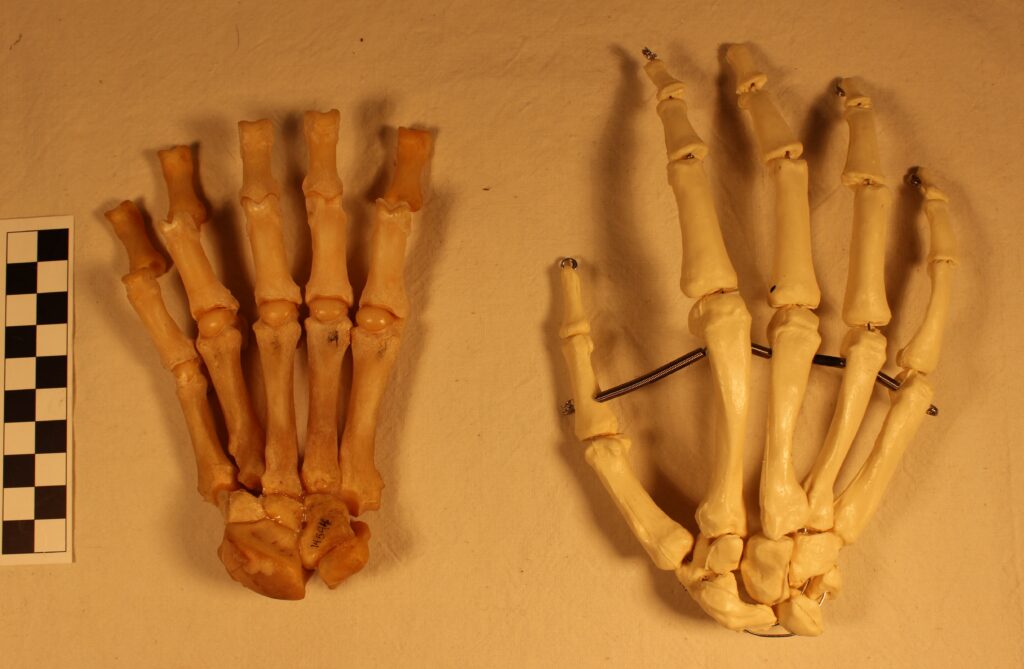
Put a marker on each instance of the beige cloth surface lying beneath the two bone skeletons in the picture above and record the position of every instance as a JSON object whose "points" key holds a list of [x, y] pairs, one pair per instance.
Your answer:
{"points": [[497, 547]]}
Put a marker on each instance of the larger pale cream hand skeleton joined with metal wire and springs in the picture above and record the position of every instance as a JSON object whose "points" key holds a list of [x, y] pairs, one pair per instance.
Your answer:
{"points": [[789, 567]]}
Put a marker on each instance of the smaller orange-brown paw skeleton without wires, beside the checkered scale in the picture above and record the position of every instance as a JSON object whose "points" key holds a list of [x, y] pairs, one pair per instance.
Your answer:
{"points": [[283, 520]]}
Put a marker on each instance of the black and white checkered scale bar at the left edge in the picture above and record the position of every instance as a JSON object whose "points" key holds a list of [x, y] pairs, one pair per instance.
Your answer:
{"points": [[36, 469]]}
